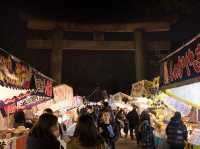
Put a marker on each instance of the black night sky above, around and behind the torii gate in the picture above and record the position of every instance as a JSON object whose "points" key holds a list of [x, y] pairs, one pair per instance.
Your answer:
{"points": [[113, 71]]}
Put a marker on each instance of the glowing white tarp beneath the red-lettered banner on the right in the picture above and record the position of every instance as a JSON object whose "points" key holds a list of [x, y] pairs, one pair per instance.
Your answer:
{"points": [[188, 93]]}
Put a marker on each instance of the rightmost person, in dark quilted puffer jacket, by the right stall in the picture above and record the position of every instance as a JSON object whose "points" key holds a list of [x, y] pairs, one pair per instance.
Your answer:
{"points": [[176, 132]]}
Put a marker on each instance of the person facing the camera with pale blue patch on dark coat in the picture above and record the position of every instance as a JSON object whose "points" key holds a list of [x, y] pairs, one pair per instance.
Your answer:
{"points": [[109, 129]]}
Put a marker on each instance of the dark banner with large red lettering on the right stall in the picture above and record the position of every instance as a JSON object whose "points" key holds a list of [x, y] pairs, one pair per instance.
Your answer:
{"points": [[183, 65]]}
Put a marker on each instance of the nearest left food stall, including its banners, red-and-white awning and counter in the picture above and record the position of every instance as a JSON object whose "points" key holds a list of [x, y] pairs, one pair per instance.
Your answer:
{"points": [[21, 88]]}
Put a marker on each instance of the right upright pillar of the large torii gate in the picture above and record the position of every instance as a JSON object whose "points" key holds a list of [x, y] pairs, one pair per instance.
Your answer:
{"points": [[139, 54]]}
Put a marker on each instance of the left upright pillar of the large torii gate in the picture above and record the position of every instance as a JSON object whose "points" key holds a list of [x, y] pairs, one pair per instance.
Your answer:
{"points": [[56, 55]]}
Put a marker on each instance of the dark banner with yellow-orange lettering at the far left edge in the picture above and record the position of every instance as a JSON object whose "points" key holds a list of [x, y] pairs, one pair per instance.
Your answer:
{"points": [[14, 73]]}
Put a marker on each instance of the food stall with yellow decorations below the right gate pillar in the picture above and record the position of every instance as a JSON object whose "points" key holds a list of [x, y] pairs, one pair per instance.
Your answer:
{"points": [[146, 94]]}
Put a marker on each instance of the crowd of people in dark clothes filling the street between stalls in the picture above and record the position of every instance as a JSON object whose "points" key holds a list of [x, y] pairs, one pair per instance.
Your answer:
{"points": [[99, 127]]}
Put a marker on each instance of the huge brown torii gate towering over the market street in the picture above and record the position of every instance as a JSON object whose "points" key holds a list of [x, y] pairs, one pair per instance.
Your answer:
{"points": [[58, 44]]}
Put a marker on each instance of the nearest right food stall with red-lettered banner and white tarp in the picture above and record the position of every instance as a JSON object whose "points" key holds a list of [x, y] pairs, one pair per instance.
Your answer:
{"points": [[180, 80]]}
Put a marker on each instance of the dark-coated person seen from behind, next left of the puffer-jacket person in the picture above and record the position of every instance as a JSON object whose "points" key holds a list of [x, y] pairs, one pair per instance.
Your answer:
{"points": [[146, 131]]}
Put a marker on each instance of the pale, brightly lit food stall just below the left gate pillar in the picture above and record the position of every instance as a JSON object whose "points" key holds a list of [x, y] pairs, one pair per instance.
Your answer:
{"points": [[64, 104]]}
